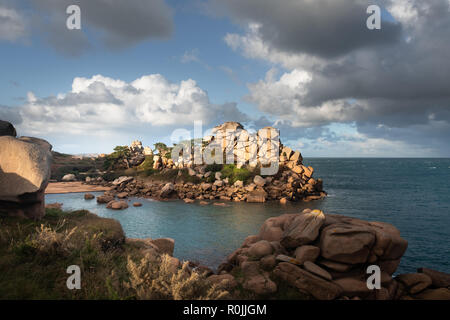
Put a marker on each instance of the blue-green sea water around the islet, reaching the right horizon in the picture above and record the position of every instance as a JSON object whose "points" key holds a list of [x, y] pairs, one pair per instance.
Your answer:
{"points": [[412, 194]]}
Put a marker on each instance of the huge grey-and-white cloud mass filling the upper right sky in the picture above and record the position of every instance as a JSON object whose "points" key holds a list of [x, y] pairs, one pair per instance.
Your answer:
{"points": [[389, 89]]}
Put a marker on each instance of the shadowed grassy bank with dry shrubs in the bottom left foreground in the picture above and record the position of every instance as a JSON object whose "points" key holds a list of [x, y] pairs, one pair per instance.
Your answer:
{"points": [[35, 256]]}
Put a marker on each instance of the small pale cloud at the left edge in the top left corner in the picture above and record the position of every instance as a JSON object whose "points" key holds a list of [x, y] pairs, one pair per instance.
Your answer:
{"points": [[12, 24]]}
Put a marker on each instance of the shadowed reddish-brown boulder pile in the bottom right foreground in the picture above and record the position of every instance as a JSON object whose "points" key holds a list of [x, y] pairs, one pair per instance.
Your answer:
{"points": [[327, 257]]}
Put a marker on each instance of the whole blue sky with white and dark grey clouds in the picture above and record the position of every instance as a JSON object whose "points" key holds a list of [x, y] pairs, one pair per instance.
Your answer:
{"points": [[142, 69]]}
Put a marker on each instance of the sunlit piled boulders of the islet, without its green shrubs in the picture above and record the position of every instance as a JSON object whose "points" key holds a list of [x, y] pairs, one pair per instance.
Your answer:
{"points": [[291, 182]]}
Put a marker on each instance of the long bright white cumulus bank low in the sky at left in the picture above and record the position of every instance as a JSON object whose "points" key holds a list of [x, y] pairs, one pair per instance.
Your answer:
{"points": [[101, 104]]}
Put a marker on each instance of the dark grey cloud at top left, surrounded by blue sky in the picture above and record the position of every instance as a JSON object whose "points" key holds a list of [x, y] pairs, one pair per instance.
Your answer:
{"points": [[115, 24]]}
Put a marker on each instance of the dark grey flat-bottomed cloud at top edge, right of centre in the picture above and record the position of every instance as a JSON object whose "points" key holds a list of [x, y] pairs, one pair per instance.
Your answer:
{"points": [[324, 28]]}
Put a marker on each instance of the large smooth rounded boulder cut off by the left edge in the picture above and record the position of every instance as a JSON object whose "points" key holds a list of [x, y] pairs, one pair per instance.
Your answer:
{"points": [[24, 174]]}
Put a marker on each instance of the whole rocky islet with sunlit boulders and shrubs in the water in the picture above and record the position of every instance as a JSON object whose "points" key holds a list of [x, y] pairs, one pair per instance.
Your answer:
{"points": [[184, 179]]}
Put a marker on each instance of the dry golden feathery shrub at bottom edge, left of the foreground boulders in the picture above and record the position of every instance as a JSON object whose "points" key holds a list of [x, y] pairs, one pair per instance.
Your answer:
{"points": [[150, 280]]}
